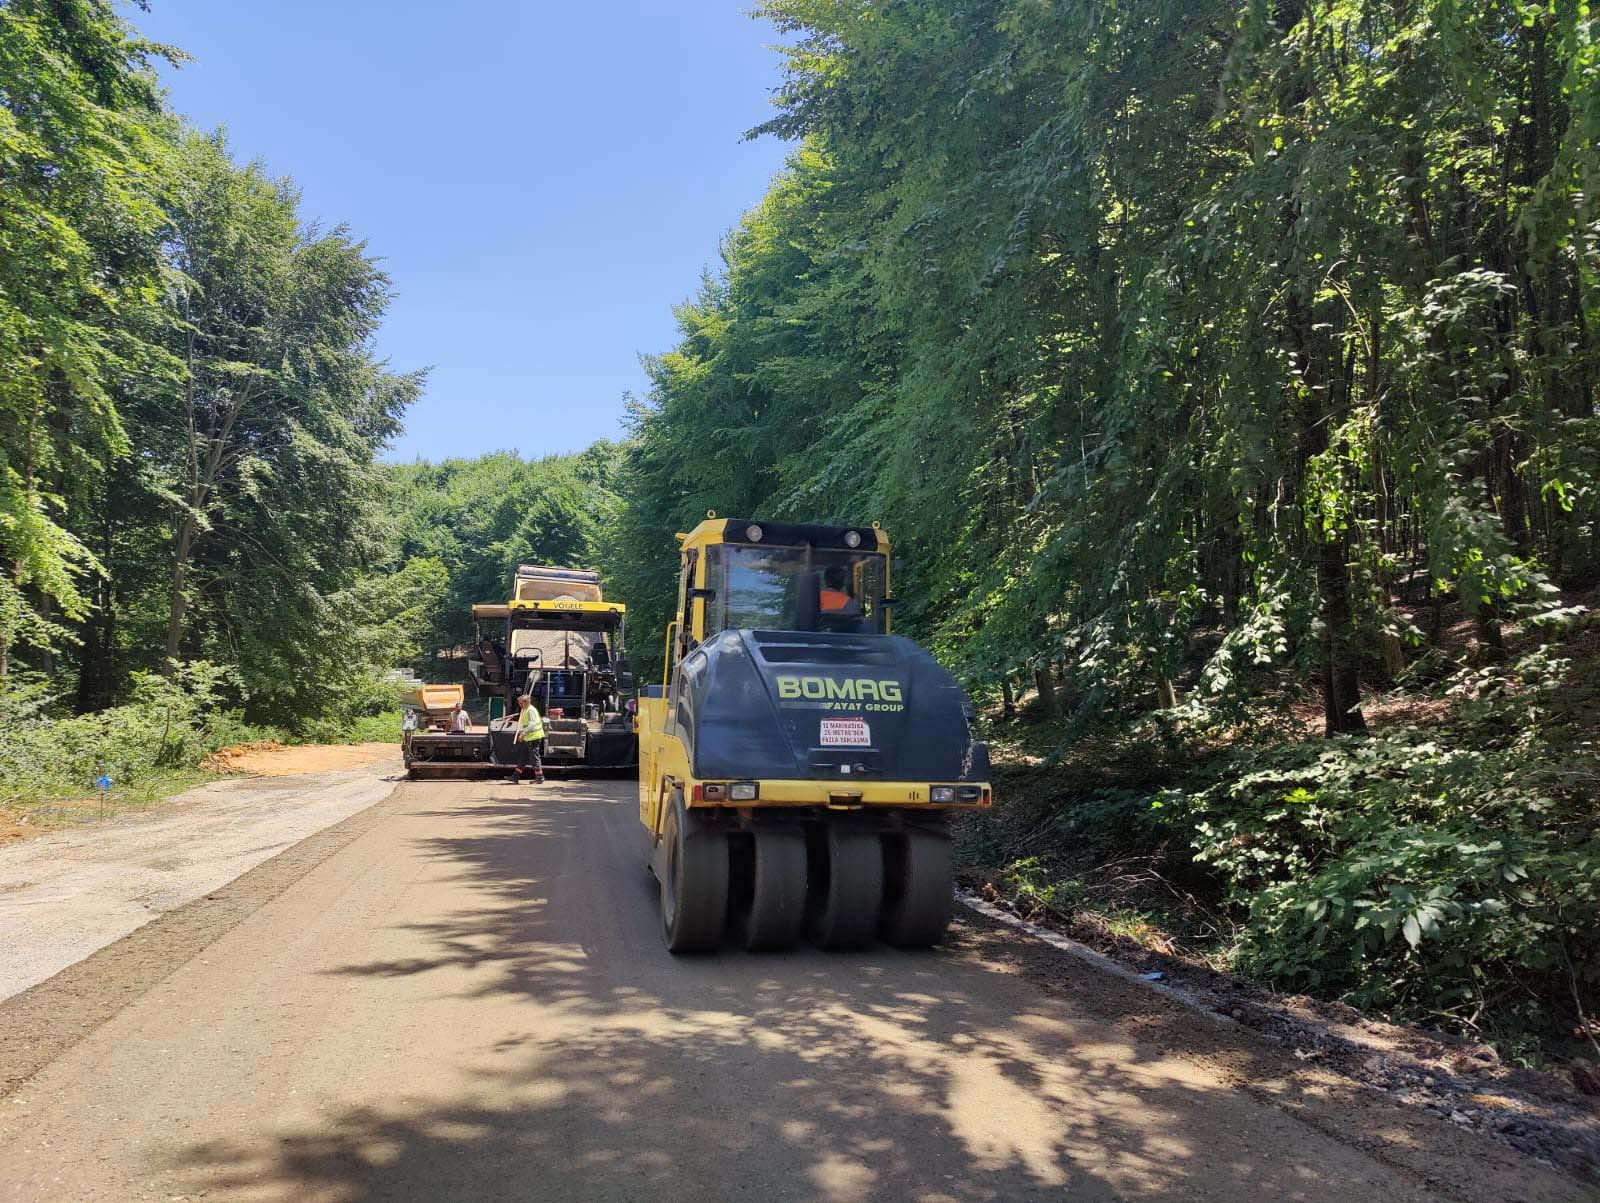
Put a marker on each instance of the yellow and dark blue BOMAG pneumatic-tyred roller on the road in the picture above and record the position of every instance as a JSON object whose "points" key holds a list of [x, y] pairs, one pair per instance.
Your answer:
{"points": [[799, 762]]}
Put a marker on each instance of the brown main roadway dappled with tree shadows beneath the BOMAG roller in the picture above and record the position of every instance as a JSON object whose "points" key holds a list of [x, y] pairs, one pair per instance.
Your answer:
{"points": [[462, 994]]}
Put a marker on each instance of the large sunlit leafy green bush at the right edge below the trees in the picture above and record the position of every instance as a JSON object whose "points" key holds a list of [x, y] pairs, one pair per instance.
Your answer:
{"points": [[1436, 873]]}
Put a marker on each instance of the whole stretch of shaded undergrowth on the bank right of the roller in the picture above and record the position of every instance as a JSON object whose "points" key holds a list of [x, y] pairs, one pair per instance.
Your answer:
{"points": [[1442, 869]]}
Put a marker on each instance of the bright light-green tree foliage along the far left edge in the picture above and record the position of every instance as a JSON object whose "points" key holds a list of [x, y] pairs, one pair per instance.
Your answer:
{"points": [[79, 270]]}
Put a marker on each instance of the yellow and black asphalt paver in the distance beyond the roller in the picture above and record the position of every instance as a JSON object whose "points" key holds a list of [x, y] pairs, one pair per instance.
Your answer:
{"points": [[561, 642]]}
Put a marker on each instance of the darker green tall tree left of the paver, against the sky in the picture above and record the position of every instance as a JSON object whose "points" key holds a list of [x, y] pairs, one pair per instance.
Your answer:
{"points": [[281, 406]]}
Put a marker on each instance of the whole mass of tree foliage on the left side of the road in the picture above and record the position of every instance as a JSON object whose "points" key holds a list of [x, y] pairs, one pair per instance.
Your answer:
{"points": [[191, 406]]}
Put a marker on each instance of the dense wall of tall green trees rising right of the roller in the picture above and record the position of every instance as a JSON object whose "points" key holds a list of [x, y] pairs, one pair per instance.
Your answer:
{"points": [[1153, 321]]}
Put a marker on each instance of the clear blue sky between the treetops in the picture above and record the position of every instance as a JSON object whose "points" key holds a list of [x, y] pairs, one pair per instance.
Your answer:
{"points": [[545, 182]]}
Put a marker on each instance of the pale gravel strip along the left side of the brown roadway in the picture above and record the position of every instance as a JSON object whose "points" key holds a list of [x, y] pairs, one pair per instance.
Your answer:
{"points": [[71, 893]]}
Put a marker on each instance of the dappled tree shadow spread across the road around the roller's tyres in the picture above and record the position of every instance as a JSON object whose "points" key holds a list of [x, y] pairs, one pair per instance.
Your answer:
{"points": [[801, 1076]]}
